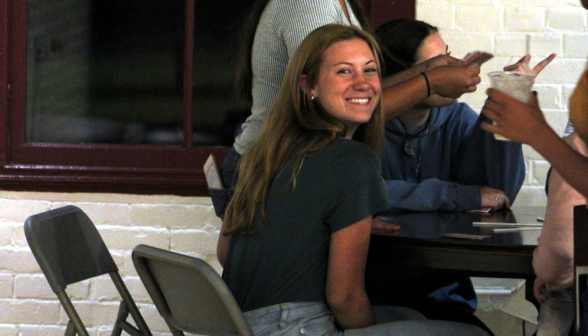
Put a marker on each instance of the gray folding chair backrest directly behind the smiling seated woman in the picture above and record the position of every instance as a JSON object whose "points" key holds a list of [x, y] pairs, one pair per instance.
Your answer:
{"points": [[188, 293]]}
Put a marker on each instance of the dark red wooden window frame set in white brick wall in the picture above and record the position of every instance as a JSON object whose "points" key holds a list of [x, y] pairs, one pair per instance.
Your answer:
{"points": [[26, 166]]}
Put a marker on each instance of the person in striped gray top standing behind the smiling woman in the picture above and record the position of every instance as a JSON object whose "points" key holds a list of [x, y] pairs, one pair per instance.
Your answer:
{"points": [[272, 34]]}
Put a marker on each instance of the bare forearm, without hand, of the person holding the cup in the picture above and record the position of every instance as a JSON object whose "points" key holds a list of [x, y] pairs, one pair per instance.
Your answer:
{"points": [[570, 164]]}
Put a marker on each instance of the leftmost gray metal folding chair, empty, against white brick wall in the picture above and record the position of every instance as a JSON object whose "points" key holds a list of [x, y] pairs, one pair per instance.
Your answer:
{"points": [[69, 249]]}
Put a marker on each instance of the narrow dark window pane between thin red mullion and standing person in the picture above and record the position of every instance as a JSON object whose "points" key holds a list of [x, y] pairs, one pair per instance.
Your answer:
{"points": [[217, 112]]}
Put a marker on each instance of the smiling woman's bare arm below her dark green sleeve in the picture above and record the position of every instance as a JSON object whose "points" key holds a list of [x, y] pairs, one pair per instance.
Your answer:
{"points": [[345, 285]]}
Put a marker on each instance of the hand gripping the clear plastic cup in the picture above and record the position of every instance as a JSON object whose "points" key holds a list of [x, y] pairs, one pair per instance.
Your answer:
{"points": [[514, 120]]}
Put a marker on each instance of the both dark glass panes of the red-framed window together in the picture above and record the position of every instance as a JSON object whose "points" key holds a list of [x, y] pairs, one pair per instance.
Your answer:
{"points": [[113, 72]]}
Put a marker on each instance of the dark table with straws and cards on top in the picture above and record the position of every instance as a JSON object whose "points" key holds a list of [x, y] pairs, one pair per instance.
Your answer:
{"points": [[421, 245]]}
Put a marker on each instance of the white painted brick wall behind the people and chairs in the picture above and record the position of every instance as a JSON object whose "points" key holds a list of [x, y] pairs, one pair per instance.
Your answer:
{"points": [[29, 308]]}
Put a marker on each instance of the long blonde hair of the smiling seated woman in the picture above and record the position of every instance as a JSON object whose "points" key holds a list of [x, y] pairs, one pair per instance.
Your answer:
{"points": [[295, 123]]}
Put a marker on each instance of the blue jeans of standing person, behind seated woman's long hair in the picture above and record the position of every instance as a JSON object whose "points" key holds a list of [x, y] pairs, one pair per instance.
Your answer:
{"points": [[222, 197]]}
